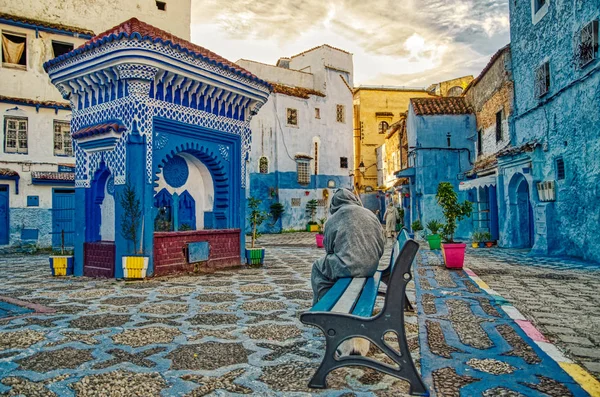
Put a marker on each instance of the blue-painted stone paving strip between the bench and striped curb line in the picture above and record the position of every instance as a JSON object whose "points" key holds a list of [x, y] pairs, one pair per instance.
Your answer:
{"points": [[472, 347]]}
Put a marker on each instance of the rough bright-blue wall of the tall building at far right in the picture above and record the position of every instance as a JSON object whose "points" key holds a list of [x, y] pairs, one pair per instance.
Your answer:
{"points": [[565, 121]]}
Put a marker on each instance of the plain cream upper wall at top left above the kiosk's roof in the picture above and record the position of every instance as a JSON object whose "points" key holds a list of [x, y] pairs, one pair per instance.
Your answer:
{"points": [[101, 15]]}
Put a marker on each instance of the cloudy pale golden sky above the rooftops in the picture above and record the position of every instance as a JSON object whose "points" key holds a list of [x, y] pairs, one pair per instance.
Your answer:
{"points": [[394, 42]]}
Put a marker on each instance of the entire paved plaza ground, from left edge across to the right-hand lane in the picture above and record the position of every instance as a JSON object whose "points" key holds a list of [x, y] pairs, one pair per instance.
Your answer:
{"points": [[237, 331]]}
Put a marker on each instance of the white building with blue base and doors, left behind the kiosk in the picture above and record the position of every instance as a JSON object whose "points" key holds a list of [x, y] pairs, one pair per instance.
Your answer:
{"points": [[36, 158]]}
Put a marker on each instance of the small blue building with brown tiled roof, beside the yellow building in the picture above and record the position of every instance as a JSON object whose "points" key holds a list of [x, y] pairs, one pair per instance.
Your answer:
{"points": [[439, 150]]}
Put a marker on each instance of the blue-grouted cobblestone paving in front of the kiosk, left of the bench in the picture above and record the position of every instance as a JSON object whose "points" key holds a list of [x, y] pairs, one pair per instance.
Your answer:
{"points": [[231, 332]]}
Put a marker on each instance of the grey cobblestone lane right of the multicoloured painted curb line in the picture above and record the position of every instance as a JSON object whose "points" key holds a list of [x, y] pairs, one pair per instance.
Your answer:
{"points": [[560, 295]]}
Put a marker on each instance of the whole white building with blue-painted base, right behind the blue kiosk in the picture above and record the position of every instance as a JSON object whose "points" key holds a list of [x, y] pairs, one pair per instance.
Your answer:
{"points": [[302, 137]]}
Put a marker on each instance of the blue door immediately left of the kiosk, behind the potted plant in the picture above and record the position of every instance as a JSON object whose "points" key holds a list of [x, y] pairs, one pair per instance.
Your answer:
{"points": [[63, 223]]}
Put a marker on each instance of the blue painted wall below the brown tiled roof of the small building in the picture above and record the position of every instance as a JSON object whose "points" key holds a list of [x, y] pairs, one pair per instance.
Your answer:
{"points": [[434, 162]]}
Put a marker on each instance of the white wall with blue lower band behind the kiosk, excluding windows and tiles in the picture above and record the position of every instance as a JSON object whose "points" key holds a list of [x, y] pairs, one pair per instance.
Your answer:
{"points": [[279, 142]]}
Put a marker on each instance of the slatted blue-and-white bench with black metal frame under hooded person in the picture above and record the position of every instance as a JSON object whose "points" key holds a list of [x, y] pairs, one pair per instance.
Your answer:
{"points": [[346, 311]]}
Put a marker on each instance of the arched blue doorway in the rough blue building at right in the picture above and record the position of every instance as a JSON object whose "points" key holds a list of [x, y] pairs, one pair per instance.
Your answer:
{"points": [[521, 213]]}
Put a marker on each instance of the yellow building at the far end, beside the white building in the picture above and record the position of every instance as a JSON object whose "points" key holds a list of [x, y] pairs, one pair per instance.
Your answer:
{"points": [[375, 109]]}
